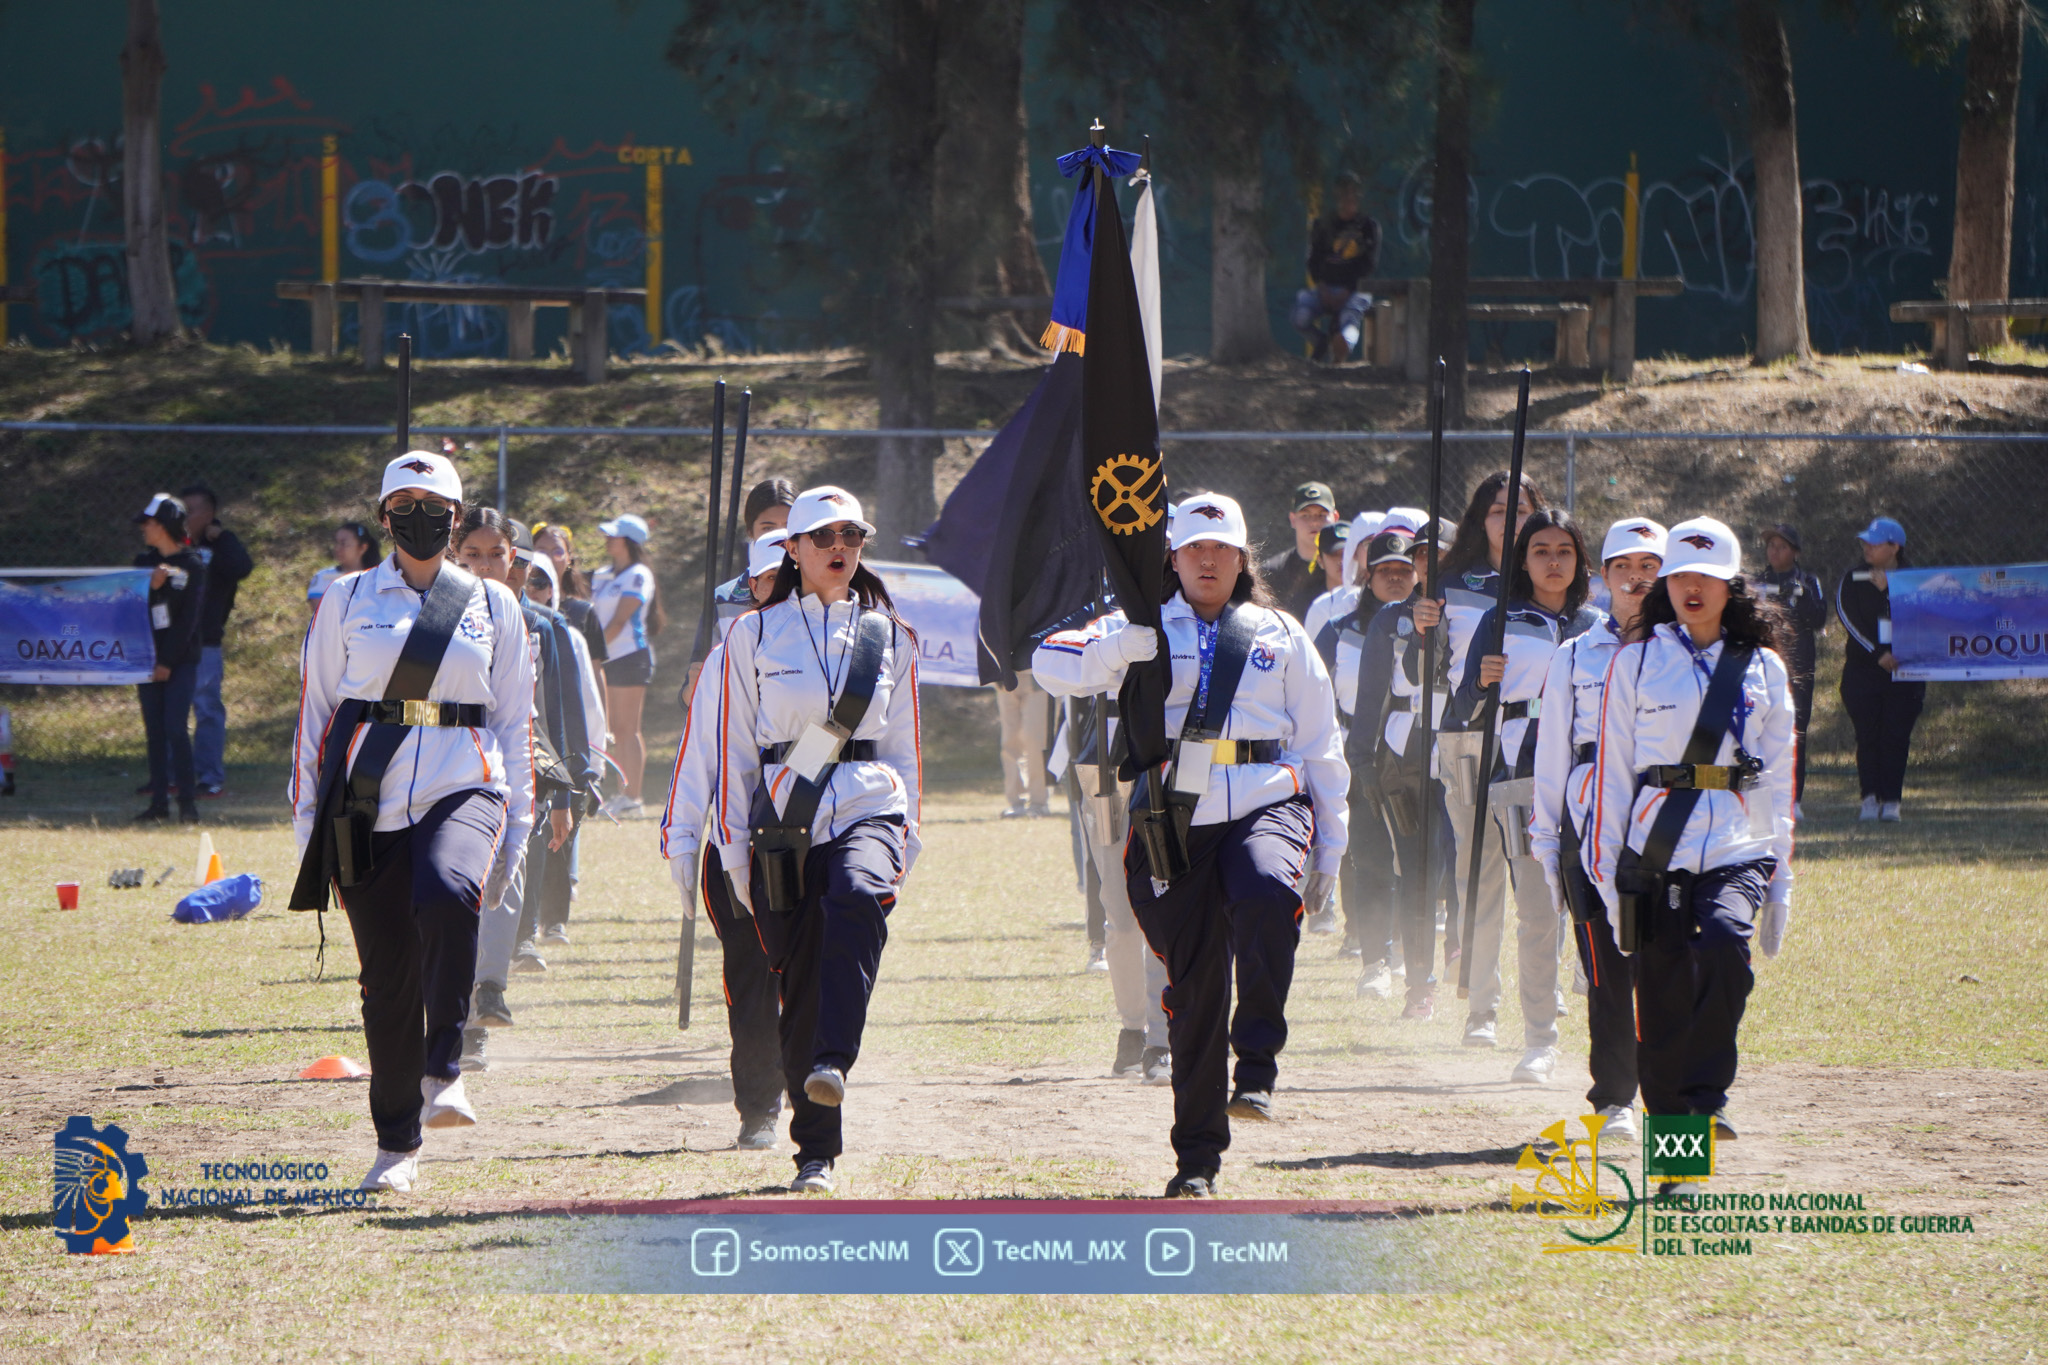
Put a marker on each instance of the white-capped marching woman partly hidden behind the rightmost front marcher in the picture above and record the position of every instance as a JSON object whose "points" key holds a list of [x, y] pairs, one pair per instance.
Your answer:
{"points": [[1560, 824]]}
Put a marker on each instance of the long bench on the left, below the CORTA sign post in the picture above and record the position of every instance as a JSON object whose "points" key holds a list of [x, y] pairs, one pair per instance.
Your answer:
{"points": [[589, 310]]}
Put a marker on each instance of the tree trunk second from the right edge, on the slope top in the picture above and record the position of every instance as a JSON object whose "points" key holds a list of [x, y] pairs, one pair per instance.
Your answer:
{"points": [[1777, 228]]}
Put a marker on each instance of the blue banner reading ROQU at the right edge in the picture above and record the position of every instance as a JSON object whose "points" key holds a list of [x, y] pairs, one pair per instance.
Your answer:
{"points": [[1971, 623]]}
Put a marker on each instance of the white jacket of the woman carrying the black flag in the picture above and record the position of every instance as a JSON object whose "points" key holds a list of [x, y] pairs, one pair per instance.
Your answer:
{"points": [[1283, 695]]}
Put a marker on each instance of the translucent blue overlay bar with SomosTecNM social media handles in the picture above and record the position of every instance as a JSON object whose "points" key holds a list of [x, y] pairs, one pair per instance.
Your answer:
{"points": [[978, 1247]]}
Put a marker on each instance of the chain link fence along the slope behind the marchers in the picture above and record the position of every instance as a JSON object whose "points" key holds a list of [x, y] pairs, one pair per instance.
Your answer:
{"points": [[73, 488]]}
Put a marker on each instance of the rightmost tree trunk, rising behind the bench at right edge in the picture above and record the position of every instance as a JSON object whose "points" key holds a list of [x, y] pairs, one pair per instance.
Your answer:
{"points": [[1983, 255]]}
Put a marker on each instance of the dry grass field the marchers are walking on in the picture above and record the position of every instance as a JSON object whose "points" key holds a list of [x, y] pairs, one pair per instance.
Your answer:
{"points": [[1895, 1051]]}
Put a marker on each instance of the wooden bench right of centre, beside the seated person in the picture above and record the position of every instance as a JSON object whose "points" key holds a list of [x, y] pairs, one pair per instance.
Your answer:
{"points": [[1402, 316]]}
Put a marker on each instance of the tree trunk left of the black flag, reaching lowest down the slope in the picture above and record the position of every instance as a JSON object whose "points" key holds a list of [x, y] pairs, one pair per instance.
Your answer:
{"points": [[902, 363]]}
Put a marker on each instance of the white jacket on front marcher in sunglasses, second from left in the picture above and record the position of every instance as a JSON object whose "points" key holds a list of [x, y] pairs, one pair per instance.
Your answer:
{"points": [[775, 685]]}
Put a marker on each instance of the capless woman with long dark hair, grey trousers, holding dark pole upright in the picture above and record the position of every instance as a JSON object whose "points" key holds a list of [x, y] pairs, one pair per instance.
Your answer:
{"points": [[1545, 609]]}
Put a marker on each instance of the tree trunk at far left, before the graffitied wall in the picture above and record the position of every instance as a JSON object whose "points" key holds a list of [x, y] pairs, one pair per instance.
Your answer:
{"points": [[153, 300]]}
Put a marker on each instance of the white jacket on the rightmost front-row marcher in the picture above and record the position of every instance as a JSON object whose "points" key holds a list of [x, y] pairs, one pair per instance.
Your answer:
{"points": [[1648, 713]]}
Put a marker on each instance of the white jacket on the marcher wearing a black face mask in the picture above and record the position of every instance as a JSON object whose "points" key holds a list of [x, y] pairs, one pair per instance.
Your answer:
{"points": [[355, 644]]}
